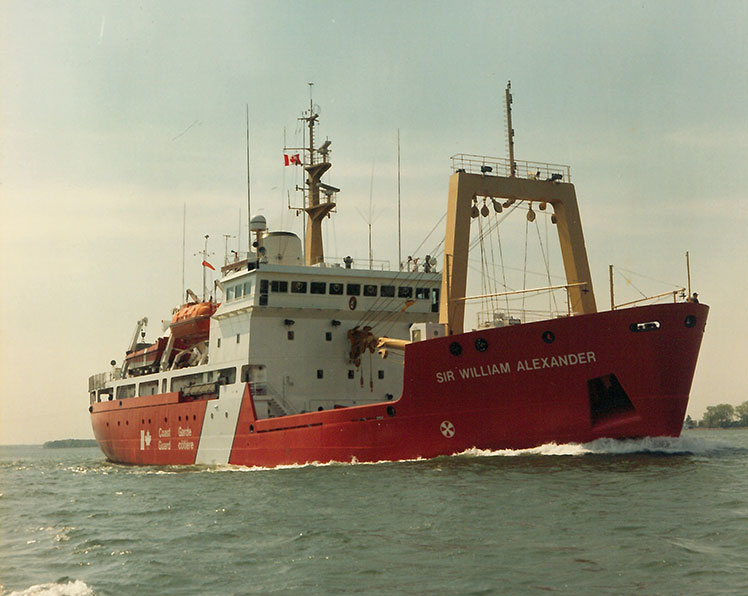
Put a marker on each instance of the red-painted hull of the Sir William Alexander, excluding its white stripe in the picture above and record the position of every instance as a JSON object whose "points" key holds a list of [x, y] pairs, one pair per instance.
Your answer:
{"points": [[600, 376]]}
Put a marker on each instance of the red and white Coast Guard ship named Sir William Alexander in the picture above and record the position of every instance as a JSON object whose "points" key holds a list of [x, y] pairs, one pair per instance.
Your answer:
{"points": [[304, 360]]}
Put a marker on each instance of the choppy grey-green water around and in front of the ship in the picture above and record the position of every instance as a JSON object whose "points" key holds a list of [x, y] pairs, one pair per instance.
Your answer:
{"points": [[653, 516]]}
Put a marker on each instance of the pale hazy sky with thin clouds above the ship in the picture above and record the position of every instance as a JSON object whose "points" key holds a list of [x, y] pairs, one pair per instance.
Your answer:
{"points": [[118, 117]]}
